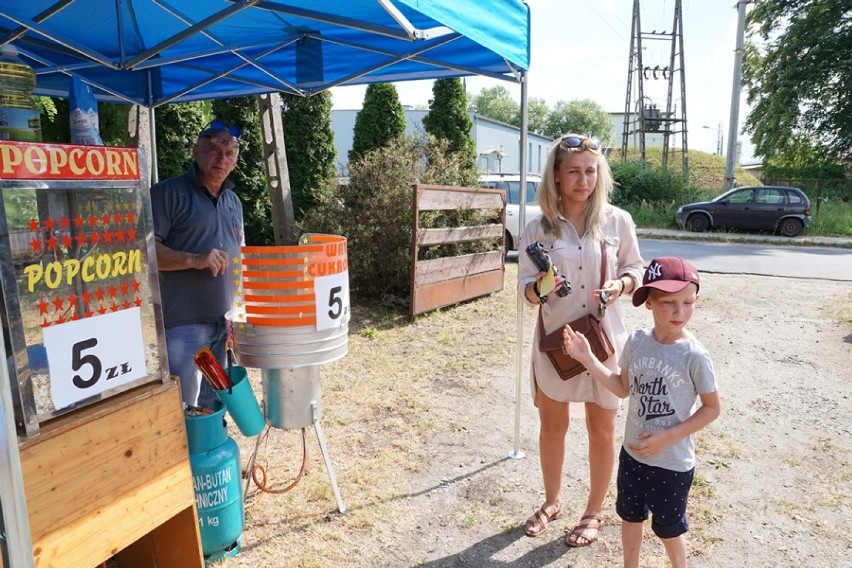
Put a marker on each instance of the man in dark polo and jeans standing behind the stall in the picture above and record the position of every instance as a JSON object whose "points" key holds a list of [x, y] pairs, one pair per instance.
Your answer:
{"points": [[198, 229]]}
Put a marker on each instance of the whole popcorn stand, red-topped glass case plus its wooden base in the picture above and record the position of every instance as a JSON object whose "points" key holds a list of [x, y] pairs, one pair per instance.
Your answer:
{"points": [[99, 421]]}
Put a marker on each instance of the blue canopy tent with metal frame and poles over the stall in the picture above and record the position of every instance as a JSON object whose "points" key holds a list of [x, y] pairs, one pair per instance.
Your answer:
{"points": [[155, 52]]}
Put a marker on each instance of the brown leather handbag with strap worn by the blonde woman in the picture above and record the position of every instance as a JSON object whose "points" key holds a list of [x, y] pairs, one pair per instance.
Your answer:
{"points": [[566, 366]]}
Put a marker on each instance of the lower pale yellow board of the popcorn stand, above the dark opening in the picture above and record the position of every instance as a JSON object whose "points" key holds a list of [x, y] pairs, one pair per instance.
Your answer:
{"points": [[102, 533]]}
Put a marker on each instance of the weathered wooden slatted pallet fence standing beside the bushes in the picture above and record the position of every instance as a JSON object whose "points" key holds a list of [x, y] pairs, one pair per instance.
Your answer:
{"points": [[446, 281]]}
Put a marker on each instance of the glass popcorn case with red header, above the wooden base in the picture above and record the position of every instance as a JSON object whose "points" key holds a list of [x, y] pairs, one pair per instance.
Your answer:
{"points": [[80, 304]]}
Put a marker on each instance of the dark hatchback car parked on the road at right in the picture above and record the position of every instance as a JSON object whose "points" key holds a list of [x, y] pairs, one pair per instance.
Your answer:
{"points": [[782, 210]]}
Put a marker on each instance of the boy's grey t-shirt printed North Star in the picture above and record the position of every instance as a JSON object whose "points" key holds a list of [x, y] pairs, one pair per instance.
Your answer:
{"points": [[665, 381]]}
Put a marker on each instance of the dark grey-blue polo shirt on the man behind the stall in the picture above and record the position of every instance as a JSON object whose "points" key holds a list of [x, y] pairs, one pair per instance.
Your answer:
{"points": [[187, 218]]}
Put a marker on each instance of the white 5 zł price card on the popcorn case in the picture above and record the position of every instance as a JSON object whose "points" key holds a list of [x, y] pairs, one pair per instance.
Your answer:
{"points": [[89, 356]]}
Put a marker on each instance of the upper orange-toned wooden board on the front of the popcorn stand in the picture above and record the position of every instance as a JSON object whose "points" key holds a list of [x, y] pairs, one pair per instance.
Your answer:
{"points": [[78, 471]]}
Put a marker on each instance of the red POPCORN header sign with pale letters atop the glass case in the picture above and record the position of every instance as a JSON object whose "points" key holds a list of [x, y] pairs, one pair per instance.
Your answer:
{"points": [[28, 160]]}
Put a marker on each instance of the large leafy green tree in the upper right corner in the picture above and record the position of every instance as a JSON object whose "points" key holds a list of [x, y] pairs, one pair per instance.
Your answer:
{"points": [[798, 71]]}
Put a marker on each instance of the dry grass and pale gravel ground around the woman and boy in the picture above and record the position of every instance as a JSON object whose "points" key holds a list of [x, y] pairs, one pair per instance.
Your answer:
{"points": [[419, 421]]}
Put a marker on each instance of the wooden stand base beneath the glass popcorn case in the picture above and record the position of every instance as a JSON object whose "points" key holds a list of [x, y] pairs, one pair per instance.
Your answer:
{"points": [[114, 480]]}
